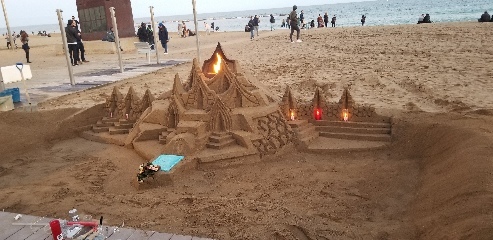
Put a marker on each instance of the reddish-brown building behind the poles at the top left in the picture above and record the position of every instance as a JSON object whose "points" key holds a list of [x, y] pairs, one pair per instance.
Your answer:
{"points": [[95, 18]]}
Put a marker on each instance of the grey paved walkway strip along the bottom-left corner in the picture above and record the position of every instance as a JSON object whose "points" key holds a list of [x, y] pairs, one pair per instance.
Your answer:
{"points": [[37, 228]]}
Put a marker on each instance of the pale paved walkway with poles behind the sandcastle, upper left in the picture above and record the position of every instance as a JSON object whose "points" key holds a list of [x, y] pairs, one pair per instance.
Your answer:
{"points": [[54, 81]]}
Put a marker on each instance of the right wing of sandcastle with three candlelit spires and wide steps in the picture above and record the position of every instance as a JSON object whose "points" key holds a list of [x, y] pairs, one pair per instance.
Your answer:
{"points": [[363, 129]]}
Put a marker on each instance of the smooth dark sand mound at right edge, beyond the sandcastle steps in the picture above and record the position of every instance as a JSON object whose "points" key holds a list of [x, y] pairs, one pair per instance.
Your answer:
{"points": [[454, 193]]}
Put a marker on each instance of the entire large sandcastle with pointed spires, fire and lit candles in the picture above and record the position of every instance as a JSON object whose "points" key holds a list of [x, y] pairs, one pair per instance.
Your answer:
{"points": [[219, 114]]}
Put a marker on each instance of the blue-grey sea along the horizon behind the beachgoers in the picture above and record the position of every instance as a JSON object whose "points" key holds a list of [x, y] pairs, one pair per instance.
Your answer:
{"points": [[381, 12]]}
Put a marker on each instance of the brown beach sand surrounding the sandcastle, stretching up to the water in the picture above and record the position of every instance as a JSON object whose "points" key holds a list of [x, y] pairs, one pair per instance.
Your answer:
{"points": [[434, 182]]}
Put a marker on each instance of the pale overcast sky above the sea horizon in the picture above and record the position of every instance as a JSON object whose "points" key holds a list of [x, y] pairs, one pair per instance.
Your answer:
{"points": [[38, 12]]}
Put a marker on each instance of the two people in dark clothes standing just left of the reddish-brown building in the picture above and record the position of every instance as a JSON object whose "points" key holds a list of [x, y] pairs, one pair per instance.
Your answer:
{"points": [[75, 44]]}
